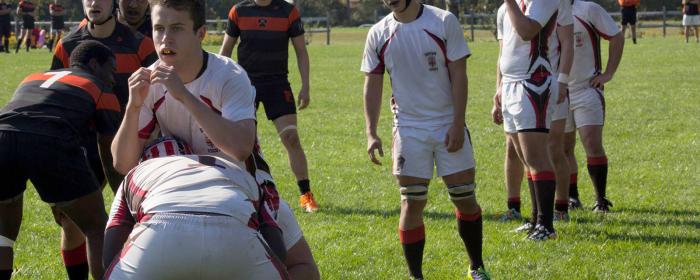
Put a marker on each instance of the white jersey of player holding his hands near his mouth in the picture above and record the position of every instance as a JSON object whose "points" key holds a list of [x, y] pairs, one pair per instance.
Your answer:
{"points": [[223, 86]]}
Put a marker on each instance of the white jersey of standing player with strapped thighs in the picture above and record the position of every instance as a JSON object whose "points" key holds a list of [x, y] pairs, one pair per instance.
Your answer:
{"points": [[415, 55]]}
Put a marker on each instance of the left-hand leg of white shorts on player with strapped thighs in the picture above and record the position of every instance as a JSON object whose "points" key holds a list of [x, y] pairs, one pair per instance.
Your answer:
{"points": [[413, 153]]}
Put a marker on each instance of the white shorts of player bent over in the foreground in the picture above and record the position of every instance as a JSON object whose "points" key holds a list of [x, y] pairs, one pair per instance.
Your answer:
{"points": [[186, 246]]}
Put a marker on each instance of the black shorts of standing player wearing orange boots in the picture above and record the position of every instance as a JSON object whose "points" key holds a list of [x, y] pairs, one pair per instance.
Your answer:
{"points": [[277, 99]]}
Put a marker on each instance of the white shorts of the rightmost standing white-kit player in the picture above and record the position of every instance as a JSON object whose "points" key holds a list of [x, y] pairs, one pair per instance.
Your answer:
{"points": [[587, 108]]}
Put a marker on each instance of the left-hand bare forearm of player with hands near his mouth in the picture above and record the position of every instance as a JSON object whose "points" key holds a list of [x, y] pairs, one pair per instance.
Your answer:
{"points": [[126, 146]]}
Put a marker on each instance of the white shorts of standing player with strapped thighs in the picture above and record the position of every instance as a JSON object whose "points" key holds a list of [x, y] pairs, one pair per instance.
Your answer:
{"points": [[417, 150]]}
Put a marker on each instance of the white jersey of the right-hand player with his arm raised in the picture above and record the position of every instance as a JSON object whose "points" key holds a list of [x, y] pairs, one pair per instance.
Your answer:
{"points": [[527, 60]]}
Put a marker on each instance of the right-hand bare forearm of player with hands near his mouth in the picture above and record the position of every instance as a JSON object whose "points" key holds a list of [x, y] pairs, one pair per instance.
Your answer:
{"points": [[235, 139]]}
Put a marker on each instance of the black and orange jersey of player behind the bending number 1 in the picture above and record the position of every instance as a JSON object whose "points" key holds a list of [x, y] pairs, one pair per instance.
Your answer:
{"points": [[131, 49]]}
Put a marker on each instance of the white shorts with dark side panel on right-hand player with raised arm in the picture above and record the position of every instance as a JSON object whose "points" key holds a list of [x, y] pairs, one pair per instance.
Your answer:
{"points": [[527, 107]]}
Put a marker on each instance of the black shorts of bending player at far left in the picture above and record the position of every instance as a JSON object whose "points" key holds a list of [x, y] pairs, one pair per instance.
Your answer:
{"points": [[58, 169]]}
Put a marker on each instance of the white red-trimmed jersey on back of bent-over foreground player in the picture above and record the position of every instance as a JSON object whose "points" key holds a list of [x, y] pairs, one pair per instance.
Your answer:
{"points": [[192, 183]]}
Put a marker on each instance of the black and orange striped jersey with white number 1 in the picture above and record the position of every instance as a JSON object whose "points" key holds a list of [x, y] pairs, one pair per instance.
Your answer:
{"points": [[66, 104]]}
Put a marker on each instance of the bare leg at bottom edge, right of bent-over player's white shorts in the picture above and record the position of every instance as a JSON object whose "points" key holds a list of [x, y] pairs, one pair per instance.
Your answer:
{"points": [[300, 262]]}
